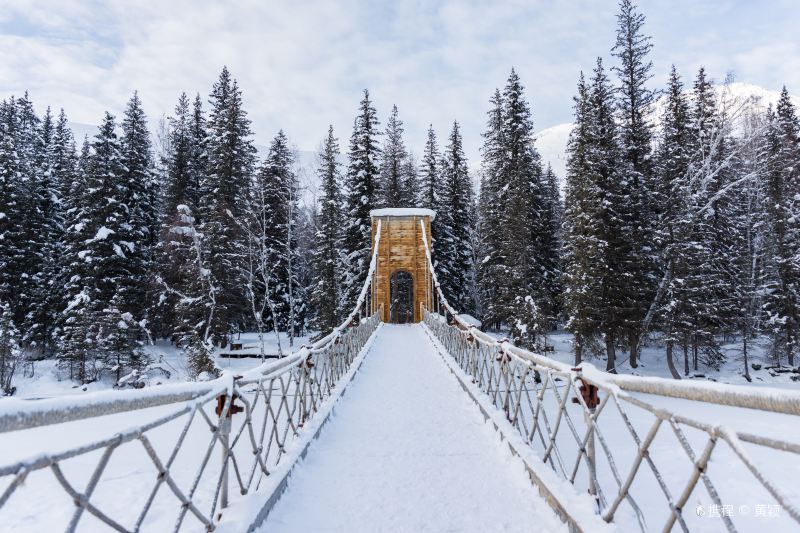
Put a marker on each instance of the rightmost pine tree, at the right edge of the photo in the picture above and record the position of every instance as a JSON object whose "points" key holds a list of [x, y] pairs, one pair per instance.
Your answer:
{"points": [[782, 186]]}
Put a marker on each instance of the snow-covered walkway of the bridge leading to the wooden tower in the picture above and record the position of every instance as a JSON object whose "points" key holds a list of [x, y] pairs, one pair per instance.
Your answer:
{"points": [[407, 451]]}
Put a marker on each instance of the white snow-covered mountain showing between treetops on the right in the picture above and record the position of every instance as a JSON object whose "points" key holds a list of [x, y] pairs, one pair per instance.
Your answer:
{"points": [[552, 142]]}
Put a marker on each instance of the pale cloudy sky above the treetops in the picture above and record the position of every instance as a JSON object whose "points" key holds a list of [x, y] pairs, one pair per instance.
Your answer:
{"points": [[302, 64]]}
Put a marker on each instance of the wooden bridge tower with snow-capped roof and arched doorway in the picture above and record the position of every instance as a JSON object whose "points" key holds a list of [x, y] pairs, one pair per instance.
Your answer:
{"points": [[401, 254]]}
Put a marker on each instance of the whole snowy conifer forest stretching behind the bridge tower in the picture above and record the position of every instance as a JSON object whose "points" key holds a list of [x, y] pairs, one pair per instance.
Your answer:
{"points": [[674, 230]]}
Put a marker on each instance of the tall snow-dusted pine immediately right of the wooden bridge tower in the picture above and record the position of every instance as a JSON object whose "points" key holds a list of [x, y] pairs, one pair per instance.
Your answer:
{"points": [[454, 257]]}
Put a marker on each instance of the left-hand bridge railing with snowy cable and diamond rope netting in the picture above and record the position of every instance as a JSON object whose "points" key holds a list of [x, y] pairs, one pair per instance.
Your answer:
{"points": [[203, 445]]}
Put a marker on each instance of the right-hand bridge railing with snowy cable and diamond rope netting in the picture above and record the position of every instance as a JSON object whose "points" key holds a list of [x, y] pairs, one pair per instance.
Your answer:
{"points": [[628, 441]]}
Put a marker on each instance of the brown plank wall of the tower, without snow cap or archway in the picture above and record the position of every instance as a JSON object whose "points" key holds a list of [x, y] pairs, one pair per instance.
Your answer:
{"points": [[401, 248]]}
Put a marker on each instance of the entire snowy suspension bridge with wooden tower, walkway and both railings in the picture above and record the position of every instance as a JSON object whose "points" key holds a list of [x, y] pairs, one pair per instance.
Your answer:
{"points": [[432, 425]]}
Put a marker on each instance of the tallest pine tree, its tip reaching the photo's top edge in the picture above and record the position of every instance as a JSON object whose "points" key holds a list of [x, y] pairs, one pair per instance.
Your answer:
{"points": [[634, 103]]}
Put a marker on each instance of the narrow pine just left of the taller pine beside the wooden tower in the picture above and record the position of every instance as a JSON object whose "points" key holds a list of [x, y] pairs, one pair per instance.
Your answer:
{"points": [[327, 263]]}
